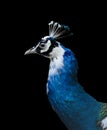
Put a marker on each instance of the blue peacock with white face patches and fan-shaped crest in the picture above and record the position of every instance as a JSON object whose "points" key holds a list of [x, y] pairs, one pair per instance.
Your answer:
{"points": [[77, 109]]}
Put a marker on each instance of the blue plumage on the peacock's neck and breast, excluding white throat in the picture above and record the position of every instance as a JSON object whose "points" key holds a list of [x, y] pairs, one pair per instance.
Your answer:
{"points": [[67, 96]]}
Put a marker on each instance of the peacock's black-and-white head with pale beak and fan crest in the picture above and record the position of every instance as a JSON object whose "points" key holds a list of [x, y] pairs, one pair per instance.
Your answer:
{"points": [[49, 46]]}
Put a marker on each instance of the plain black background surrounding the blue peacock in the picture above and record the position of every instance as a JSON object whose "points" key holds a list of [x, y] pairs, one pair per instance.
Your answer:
{"points": [[28, 105]]}
